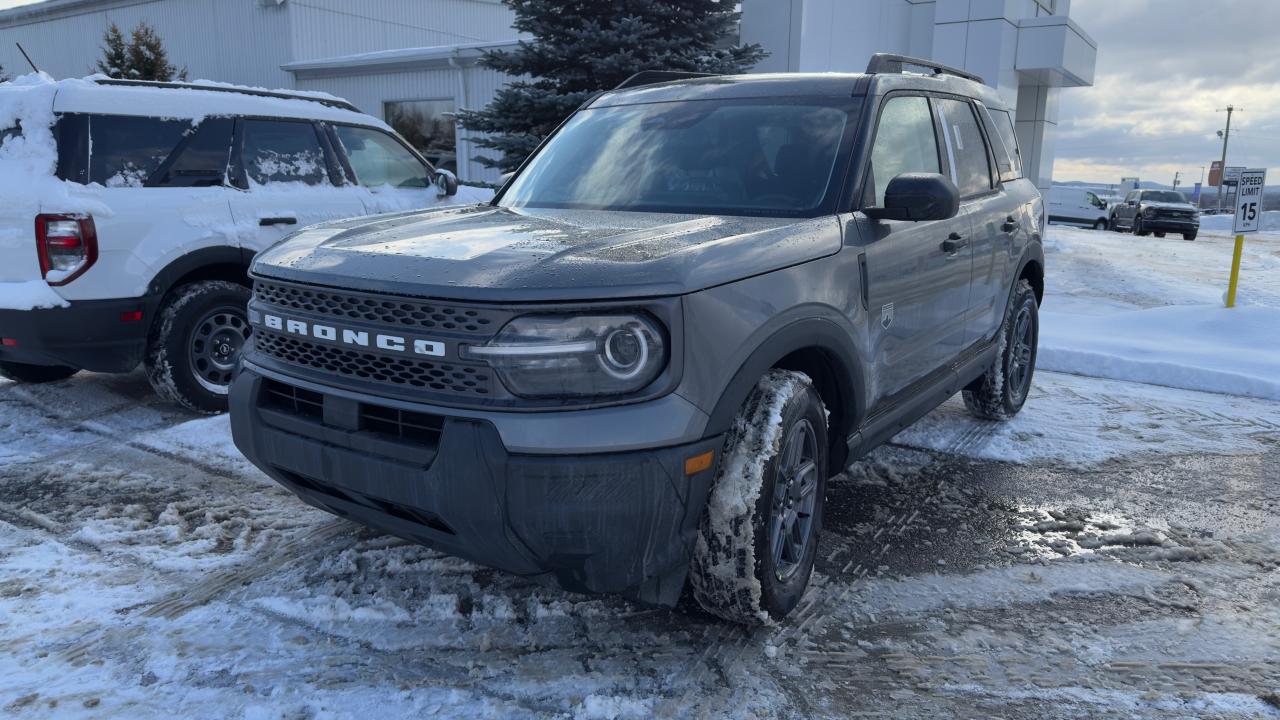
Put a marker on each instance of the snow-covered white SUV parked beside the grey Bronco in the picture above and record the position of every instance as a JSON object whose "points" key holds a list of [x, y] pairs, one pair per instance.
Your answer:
{"points": [[132, 211]]}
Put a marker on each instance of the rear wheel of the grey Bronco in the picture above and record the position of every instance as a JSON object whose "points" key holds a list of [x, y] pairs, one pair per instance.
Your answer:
{"points": [[1002, 391]]}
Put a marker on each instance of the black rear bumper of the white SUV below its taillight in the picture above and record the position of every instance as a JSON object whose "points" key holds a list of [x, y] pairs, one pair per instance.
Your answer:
{"points": [[89, 335]]}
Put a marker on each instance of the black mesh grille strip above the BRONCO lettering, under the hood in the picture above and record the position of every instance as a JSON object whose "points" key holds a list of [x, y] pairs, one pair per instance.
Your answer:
{"points": [[396, 312]]}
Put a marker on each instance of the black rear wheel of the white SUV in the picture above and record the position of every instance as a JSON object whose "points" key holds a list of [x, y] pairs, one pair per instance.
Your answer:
{"points": [[182, 361]]}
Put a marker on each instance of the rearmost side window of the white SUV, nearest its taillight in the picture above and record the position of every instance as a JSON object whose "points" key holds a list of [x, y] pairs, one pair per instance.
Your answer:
{"points": [[126, 151]]}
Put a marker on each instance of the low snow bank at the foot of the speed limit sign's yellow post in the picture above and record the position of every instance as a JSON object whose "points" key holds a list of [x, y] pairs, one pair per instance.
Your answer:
{"points": [[1210, 349]]}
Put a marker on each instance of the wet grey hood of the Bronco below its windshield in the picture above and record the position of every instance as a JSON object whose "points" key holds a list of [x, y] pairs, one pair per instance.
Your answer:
{"points": [[500, 254]]}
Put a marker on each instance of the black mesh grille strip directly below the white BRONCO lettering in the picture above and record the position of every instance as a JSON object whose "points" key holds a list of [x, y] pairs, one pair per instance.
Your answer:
{"points": [[404, 372]]}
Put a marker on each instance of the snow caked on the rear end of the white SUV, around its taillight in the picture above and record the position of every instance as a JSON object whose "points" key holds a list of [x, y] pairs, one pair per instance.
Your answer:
{"points": [[29, 186]]}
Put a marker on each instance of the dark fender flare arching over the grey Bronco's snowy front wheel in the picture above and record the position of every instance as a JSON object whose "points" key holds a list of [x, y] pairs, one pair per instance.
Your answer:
{"points": [[810, 332]]}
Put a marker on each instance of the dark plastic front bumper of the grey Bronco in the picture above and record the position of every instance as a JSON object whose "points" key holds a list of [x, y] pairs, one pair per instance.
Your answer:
{"points": [[618, 523]]}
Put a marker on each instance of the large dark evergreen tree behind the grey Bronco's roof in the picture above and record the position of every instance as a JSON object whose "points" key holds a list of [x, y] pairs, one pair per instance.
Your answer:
{"points": [[584, 47]]}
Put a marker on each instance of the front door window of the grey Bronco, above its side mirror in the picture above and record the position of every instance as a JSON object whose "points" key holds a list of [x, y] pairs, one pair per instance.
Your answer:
{"points": [[906, 143]]}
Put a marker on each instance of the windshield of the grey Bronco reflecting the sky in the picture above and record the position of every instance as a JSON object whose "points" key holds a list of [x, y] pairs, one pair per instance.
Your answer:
{"points": [[711, 157]]}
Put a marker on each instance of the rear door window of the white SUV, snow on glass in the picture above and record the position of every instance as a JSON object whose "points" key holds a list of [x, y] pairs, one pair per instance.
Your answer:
{"points": [[284, 152]]}
